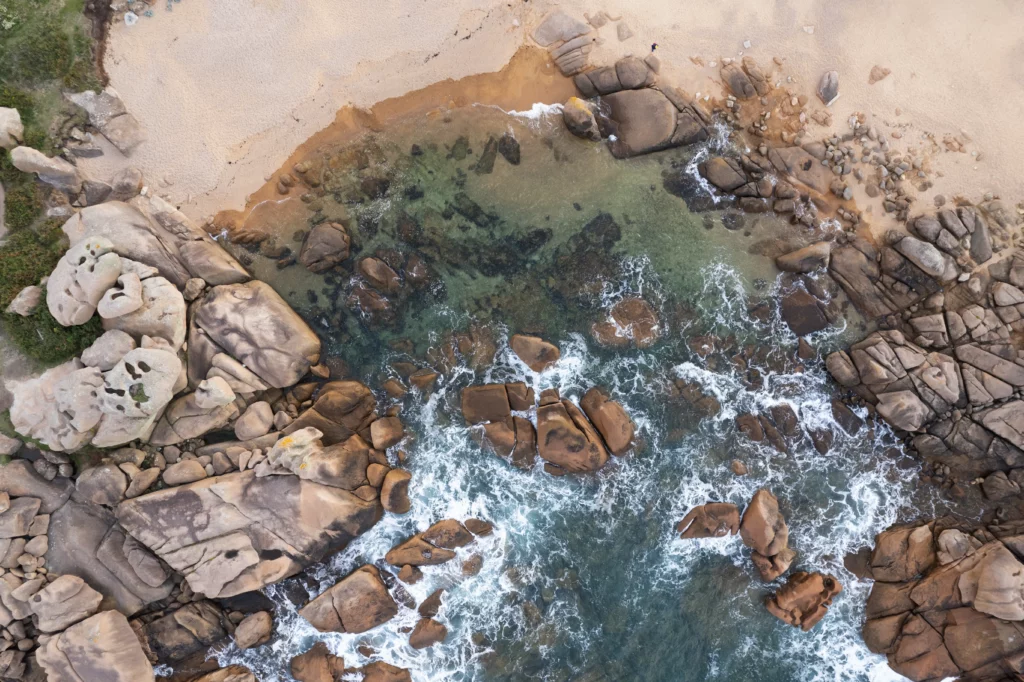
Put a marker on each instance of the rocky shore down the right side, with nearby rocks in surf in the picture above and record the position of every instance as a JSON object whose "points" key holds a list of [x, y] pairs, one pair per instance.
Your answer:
{"points": [[945, 289]]}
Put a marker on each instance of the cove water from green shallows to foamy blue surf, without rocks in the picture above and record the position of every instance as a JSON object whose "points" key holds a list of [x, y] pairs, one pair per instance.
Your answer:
{"points": [[585, 578]]}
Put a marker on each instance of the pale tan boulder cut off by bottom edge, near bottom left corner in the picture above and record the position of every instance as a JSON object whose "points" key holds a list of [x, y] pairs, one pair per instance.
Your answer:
{"points": [[102, 649]]}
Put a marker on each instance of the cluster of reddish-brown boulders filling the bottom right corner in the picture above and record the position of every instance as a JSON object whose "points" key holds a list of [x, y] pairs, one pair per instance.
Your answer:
{"points": [[949, 601]]}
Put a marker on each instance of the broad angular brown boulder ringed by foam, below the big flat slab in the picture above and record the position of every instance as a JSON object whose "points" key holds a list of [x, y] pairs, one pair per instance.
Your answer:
{"points": [[357, 604]]}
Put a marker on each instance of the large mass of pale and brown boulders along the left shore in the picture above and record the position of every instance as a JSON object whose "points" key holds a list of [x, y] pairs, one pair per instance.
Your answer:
{"points": [[220, 459]]}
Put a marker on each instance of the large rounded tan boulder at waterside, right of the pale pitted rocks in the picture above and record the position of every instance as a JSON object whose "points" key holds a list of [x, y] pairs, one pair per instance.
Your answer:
{"points": [[252, 324]]}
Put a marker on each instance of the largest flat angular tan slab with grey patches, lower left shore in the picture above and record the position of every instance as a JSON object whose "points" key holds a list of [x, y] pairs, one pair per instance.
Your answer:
{"points": [[238, 533]]}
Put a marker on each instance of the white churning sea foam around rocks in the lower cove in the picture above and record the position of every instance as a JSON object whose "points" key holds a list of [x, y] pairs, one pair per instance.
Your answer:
{"points": [[835, 505]]}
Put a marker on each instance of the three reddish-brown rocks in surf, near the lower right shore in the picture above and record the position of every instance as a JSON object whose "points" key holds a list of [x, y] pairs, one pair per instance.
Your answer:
{"points": [[805, 599]]}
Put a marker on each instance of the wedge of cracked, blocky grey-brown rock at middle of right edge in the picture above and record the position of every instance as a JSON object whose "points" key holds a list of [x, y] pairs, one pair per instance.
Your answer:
{"points": [[950, 375]]}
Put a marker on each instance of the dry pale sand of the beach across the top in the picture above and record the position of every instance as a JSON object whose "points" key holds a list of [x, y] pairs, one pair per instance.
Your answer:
{"points": [[228, 90]]}
